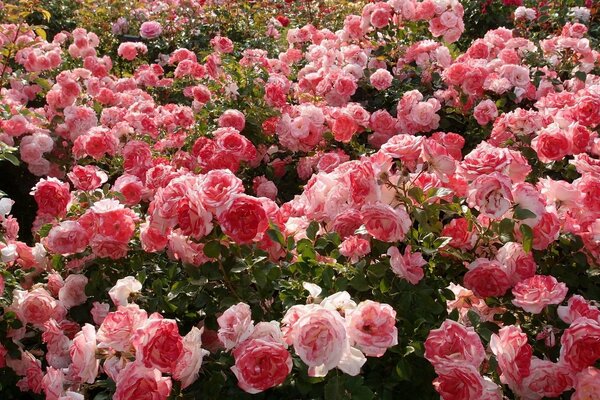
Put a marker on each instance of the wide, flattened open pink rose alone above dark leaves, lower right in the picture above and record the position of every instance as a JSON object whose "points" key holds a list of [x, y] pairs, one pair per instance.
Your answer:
{"points": [[535, 293]]}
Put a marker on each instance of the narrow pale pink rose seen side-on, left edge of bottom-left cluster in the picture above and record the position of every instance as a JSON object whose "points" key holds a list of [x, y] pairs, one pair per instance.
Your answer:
{"points": [[83, 355]]}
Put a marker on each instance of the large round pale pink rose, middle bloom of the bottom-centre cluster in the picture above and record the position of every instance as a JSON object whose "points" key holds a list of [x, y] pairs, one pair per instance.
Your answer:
{"points": [[320, 338]]}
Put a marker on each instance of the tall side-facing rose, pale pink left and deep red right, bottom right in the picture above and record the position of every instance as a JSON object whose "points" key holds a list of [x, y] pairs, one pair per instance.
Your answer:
{"points": [[513, 354]]}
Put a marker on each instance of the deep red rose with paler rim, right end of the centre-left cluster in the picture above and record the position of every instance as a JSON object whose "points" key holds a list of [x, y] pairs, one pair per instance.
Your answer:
{"points": [[244, 220]]}
